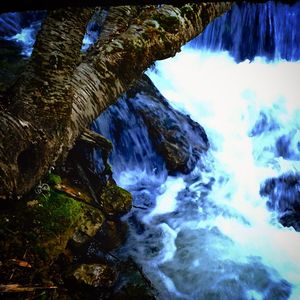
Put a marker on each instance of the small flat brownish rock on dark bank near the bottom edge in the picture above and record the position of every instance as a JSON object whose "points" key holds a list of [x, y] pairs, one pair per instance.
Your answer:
{"points": [[94, 275]]}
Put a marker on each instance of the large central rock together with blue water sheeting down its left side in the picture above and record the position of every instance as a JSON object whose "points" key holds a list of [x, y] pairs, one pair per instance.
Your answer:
{"points": [[148, 133]]}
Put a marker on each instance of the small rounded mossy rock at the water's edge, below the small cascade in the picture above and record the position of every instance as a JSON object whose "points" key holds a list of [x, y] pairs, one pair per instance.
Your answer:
{"points": [[115, 201]]}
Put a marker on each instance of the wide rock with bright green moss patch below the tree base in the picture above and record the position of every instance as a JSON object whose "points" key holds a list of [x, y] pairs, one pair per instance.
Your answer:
{"points": [[54, 220]]}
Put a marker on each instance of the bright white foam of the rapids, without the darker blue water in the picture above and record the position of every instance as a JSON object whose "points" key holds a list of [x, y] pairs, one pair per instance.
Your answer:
{"points": [[227, 98]]}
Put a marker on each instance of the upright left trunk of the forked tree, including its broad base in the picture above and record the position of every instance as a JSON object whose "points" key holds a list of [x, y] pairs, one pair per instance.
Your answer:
{"points": [[40, 103]]}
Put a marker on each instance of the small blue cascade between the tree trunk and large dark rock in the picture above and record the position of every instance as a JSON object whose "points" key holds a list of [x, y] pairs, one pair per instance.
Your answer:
{"points": [[133, 153]]}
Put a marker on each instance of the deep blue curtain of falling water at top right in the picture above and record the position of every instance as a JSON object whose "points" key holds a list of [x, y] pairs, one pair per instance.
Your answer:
{"points": [[248, 30]]}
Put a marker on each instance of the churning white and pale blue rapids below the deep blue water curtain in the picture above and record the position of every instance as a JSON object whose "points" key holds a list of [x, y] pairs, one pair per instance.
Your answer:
{"points": [[221, 228]]}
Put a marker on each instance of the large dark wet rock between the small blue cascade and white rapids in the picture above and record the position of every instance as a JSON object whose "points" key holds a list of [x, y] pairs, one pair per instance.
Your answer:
{"points": [[175, 135]]}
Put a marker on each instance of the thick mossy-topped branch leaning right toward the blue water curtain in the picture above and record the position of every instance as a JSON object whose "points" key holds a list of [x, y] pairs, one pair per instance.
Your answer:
{"points": [[109, 69]]}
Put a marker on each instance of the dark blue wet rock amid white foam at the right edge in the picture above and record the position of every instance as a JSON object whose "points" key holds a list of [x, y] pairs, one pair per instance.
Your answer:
{"points": [[283, 195]]}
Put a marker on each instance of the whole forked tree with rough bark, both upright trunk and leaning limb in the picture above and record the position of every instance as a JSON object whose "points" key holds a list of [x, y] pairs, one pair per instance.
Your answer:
{"points": [[57, 97]]}
